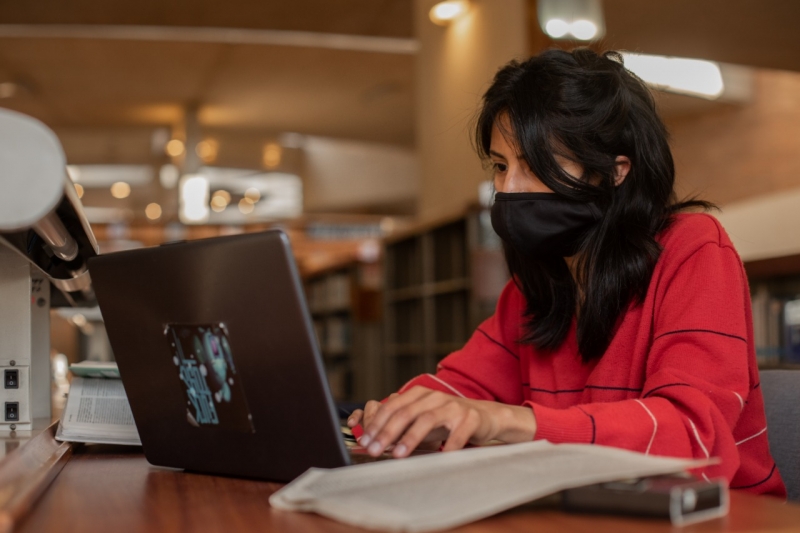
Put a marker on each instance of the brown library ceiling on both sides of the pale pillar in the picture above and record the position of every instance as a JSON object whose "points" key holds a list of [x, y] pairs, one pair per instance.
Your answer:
{"points": [[104, 95]]}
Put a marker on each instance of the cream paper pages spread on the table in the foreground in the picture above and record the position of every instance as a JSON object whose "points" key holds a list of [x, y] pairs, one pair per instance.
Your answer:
{"points": [[445, 490]]}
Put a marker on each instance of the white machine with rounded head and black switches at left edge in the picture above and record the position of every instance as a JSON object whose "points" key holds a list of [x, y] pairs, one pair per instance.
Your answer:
{"points": [[45, 242]]}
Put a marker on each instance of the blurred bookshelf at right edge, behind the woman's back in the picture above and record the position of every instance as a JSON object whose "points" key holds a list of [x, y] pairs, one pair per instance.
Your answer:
{"points": [[775, 297]]}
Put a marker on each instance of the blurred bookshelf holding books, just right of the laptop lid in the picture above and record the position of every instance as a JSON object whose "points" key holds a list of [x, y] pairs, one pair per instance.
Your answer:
{"points": [[345, 308]]}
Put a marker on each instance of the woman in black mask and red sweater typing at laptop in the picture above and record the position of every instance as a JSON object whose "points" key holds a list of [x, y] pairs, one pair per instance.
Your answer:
{"points": [[627, 322]]}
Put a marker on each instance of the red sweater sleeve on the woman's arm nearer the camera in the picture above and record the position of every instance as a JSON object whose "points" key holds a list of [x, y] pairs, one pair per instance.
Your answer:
{"points": [[697, 372]]}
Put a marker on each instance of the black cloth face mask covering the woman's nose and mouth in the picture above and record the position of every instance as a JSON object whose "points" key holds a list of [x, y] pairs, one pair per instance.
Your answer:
{"points": [[542, 225]]}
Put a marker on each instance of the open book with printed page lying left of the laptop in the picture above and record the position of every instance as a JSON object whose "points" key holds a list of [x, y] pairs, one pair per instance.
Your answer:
{"points": [[97, 410]]}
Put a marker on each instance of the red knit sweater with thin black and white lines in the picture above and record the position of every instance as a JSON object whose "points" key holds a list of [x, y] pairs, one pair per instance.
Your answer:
{"points": [[679, 377]]}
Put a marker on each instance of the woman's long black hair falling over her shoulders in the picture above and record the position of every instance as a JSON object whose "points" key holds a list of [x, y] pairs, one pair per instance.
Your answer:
{"points": [[588, 108]]}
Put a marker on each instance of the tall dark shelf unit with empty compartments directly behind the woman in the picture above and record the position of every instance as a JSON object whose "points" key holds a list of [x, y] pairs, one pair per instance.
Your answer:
{"points": [[442, 281]]}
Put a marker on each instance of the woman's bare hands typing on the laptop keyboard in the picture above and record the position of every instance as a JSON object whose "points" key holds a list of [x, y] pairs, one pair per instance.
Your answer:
{"points": [[425, 416]]}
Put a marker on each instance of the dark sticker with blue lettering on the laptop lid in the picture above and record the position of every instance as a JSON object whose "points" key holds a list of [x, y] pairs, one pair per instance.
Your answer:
{"points": [[204, 361]]}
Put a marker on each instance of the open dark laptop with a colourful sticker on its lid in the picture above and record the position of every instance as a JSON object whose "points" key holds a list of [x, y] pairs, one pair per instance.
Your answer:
{"points": [[218, 356]]}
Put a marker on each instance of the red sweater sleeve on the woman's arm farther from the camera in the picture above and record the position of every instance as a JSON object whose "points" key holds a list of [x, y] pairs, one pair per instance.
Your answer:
{"points": [[488, 366]]}
